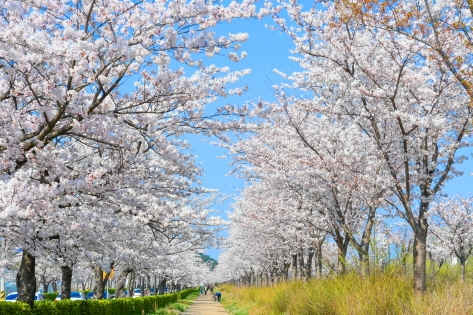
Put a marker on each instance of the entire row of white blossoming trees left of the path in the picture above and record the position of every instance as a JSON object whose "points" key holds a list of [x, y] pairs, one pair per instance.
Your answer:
{"points": [[94, 99]]}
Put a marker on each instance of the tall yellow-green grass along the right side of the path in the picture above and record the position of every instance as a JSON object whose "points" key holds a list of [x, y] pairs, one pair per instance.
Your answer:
{"points": [[382, 294]]}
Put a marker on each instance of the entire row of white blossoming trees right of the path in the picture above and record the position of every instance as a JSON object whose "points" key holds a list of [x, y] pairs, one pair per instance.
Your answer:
{"points": [[365, 135]]}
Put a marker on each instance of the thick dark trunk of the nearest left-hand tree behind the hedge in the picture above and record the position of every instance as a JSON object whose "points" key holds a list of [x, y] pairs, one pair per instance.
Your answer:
{"points": [[26, 280]]}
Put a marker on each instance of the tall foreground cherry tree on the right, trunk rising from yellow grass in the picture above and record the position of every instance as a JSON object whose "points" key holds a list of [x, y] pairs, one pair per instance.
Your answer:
{"points": [[412, 107]]}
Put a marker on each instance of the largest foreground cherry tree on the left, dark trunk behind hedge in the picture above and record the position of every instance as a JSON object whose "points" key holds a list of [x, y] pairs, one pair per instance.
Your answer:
{"points": [[65, 96]]}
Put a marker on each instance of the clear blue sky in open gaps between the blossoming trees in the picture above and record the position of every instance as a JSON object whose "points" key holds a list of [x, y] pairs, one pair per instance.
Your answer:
{"points": [[266, 50]]}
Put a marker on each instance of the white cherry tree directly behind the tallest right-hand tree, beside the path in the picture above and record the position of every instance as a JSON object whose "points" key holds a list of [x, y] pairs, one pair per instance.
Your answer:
{"points": [[318, 159]]}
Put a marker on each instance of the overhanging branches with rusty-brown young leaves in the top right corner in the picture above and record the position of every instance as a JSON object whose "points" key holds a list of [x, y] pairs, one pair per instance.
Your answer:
{"points": [[443, 28]]}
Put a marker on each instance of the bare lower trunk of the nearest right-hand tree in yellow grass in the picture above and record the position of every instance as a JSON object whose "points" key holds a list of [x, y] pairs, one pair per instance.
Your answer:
{"points": [[420, 255]]}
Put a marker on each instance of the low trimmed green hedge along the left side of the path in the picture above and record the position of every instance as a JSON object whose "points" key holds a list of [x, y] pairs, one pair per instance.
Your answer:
{"points": [[128, 306]]}
